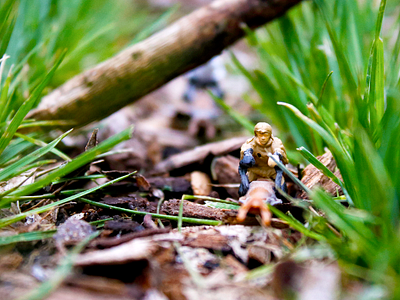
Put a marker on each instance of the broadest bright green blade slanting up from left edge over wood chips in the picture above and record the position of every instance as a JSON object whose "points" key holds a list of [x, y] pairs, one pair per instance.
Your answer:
{"points": [[78, 162]]}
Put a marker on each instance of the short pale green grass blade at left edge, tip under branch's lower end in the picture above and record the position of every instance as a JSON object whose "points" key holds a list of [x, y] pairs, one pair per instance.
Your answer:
{"points": [[15, 168]]}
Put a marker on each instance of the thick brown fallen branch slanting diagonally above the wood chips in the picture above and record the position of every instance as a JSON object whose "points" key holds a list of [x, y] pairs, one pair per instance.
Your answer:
{"points": [[143, 67]]}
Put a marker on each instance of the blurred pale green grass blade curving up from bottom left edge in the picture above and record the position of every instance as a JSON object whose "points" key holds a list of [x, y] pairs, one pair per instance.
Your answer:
{"points": [[62, 271]]}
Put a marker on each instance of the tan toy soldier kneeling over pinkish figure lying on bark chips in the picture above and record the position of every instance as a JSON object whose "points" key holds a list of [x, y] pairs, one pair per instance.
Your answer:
{"points": [[258, 172]]}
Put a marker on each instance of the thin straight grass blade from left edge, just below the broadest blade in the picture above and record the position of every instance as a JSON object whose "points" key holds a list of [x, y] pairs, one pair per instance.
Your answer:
{"points": [[12, 219]]}
